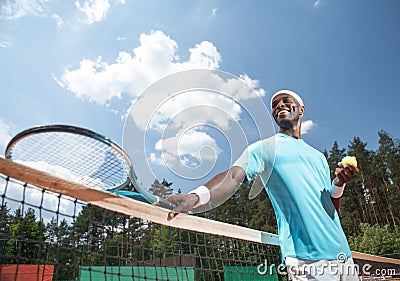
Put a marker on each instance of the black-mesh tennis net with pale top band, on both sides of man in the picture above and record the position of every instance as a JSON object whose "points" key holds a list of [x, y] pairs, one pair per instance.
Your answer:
{"points": [[54, 229]]}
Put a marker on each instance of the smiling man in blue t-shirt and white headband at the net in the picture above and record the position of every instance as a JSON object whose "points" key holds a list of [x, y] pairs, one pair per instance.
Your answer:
{"points": [[297, 180]]}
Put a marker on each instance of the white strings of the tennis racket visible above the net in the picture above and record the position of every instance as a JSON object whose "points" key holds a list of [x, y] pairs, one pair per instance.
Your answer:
{"points": [[75, 157]]}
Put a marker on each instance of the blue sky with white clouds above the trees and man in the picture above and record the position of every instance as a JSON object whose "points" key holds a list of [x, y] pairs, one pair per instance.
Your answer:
{"points": [[89, 63]]}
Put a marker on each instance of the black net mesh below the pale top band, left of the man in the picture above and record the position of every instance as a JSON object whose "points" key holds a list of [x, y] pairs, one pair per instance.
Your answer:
{"points": [[50, 236]]}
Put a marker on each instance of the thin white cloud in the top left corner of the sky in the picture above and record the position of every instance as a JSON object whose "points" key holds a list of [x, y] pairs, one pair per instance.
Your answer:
{"points": [[19, 8]]}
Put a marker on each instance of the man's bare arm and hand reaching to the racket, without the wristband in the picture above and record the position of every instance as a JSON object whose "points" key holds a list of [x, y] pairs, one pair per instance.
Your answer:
{"points": [[221, 186]]}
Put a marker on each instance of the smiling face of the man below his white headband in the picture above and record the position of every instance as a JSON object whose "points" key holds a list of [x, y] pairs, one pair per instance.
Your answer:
{"points": [[286, 110]]}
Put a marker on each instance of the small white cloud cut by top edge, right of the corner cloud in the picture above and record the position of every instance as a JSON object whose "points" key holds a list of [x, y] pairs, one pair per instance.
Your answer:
{"points": [[93, 10]]}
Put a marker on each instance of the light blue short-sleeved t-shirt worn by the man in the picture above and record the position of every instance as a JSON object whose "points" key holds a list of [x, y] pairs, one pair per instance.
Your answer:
{"points": [[297, 179]]}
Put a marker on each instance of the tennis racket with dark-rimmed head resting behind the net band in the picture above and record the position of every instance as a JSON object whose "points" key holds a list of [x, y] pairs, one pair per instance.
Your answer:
{"points": [[81, 156]]}
